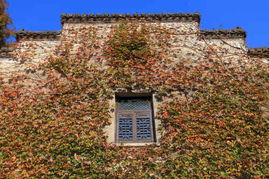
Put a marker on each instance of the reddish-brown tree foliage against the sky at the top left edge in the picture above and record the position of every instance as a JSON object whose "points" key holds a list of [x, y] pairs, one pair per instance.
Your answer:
{"points": [[5, 20]]}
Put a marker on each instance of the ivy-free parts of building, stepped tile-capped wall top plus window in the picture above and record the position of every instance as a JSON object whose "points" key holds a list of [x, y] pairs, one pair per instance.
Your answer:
{"points": [[133, 120]]}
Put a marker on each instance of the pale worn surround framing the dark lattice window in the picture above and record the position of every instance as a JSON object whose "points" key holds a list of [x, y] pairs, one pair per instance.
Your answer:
{"points": [[111, 129]]}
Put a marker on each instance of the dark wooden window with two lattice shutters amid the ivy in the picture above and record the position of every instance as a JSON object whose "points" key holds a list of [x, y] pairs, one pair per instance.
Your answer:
{"points": [[134, 120]]}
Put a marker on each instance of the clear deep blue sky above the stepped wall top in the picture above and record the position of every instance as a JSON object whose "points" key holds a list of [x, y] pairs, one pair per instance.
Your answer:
{"points": [[251, 15]]}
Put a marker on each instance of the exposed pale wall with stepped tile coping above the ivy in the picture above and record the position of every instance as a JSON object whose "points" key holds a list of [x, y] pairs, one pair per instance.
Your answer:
{"points": [[188, 41]]}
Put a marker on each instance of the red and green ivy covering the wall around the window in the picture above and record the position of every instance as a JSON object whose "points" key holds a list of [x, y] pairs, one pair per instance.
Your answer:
{"points": [[211, 127]]}
